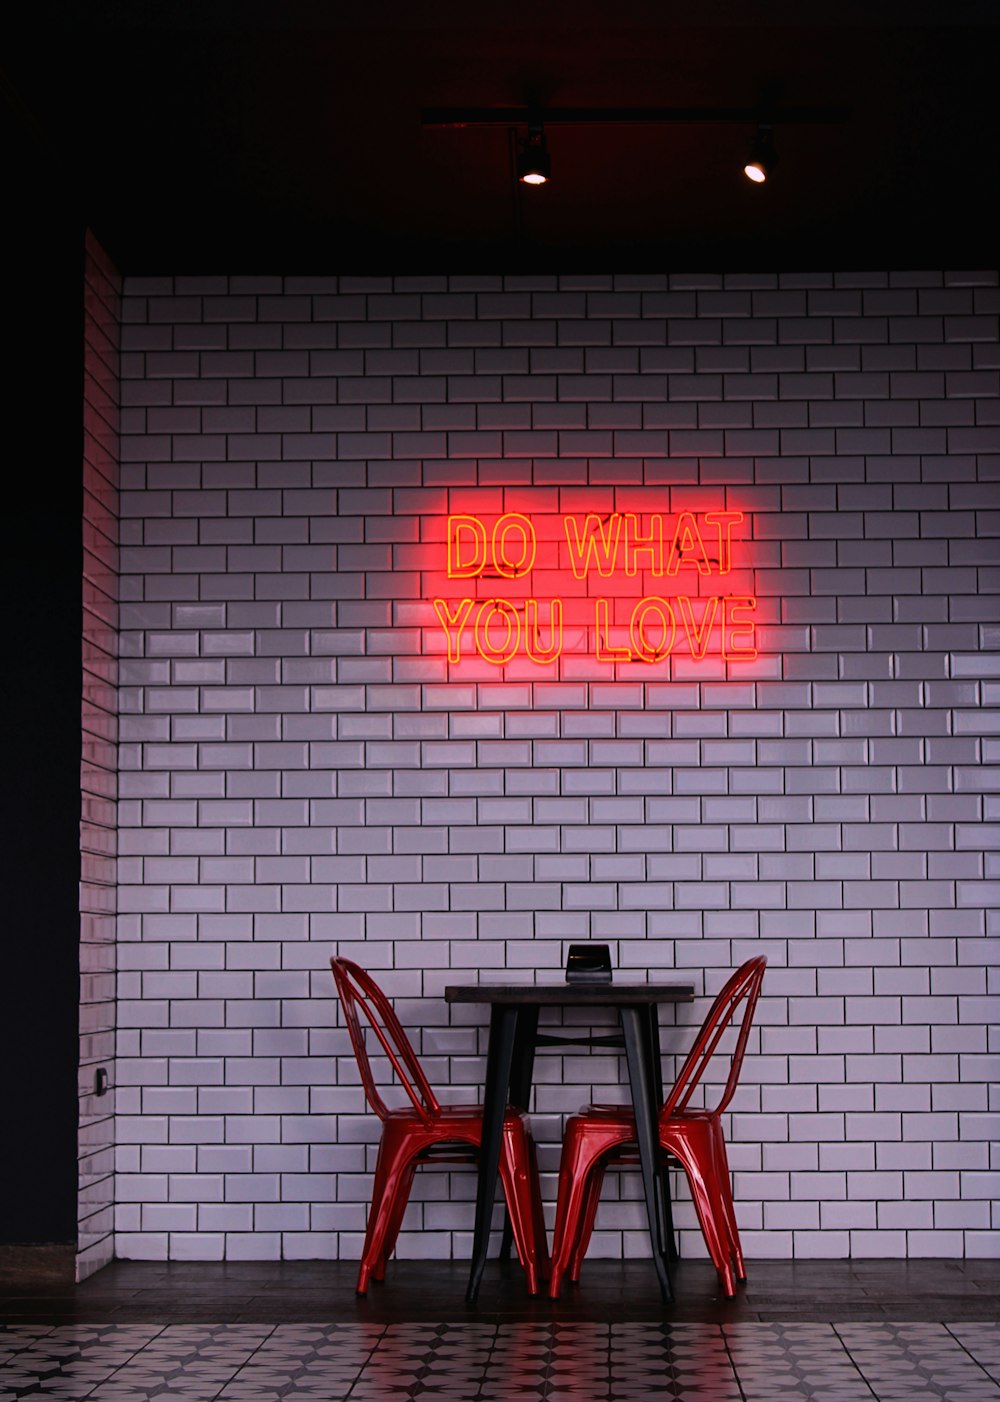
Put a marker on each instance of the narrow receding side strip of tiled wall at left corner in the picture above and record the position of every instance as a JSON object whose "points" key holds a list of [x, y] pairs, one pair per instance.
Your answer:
{"points": [[99, 770]]}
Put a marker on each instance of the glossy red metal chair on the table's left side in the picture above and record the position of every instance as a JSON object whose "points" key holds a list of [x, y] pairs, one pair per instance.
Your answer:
{"points": [[430, 1132]]}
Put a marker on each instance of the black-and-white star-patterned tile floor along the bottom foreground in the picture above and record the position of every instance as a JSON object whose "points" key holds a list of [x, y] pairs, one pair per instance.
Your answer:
{"points": [[741, 1362]]}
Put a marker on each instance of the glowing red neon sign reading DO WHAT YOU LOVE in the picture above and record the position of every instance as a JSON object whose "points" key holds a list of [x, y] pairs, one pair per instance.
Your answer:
{"points": [[625, 588]]}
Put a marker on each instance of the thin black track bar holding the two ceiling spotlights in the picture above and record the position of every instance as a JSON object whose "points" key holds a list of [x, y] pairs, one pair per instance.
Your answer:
{"points": [[630, 116]]}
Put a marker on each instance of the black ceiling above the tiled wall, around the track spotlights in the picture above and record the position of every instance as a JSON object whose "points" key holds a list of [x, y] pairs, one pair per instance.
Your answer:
{"points": [[287, 137]]}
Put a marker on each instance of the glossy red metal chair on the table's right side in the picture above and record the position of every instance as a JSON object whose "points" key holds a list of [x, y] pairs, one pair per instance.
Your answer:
{"points": [[604, 1135]]}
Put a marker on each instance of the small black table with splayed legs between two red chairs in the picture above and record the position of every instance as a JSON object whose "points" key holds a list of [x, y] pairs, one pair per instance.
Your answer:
{"points": [[514, 1035]]}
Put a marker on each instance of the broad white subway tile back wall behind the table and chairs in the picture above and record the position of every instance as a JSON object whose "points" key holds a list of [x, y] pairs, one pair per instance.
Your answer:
{"points": [[305, 773]]}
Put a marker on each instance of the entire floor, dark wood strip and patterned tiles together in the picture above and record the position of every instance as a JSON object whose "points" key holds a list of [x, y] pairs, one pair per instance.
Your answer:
{"points": [[262, 1333]]}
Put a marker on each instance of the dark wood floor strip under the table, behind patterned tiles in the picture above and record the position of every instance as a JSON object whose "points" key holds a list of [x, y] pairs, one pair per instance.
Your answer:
{"points": [[416, 1292]]}
